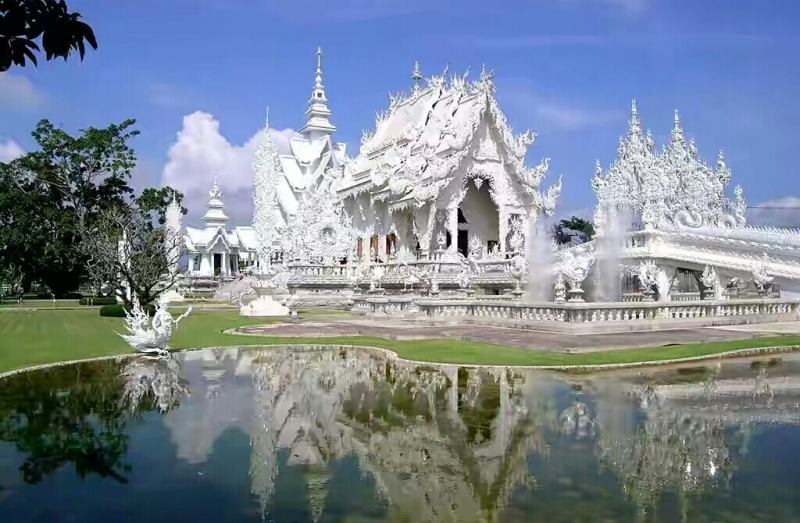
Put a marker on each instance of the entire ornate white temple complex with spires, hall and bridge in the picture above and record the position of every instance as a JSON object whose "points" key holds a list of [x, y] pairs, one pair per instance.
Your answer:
{"points": [[439, 205]]}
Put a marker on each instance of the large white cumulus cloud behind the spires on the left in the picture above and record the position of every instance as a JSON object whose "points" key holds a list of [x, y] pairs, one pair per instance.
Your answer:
{"points": [[201, 152]]}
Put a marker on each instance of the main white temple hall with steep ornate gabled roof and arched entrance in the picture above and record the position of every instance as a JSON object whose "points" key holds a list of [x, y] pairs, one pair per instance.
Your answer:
{"points": [[442, 170]]}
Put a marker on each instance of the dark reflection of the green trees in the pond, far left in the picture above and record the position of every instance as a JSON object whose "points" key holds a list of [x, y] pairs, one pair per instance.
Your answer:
{"points": [[71, 414]]}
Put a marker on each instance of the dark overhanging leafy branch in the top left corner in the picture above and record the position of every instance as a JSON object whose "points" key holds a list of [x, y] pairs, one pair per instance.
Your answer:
{"points": [[23, 22]]}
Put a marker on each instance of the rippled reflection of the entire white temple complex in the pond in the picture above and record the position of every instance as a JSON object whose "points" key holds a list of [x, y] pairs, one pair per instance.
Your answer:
{"points": [[449, 443]]}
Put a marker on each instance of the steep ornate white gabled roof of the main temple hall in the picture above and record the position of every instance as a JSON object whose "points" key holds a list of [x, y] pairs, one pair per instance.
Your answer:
{"points": [[425, 134]]}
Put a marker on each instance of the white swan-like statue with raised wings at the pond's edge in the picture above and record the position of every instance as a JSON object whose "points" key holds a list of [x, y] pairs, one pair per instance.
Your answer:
{"points": [[150, 336]]}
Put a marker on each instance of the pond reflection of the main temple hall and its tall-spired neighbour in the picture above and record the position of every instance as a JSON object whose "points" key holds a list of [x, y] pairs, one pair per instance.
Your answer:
{"points": [[444, 444]]}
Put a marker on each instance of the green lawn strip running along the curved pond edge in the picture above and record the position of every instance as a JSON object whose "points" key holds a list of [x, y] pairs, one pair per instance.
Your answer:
{"points": [[43, 336]]}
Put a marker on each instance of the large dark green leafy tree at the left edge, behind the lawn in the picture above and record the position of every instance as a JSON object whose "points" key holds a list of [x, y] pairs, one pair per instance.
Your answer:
{"points": [[50, 196]]}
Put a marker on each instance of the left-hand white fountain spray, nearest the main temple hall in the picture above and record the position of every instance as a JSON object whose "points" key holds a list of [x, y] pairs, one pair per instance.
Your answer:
{"points": [[539, 256]]}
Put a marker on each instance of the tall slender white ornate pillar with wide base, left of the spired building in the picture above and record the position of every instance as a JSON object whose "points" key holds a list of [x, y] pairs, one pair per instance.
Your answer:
{"points": [[266, 173]]}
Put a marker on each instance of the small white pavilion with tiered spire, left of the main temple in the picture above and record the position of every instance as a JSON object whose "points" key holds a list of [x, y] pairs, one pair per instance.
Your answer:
{"points": [[214, 250]]}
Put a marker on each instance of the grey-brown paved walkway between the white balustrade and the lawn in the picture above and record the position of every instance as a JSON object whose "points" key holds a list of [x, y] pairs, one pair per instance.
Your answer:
{"points": [[523, 338]]}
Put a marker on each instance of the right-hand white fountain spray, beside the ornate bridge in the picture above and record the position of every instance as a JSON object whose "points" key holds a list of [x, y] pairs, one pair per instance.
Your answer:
{"points": [[610, 243]]}
